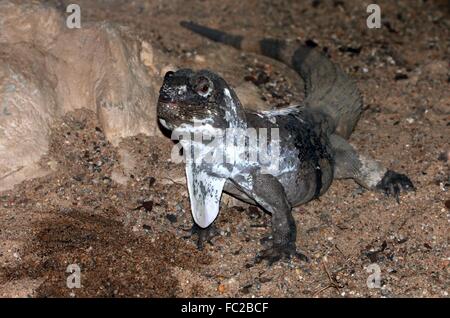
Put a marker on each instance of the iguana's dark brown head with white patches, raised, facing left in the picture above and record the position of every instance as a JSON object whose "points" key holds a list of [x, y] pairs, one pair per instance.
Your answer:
{"points": [[187, 96]]}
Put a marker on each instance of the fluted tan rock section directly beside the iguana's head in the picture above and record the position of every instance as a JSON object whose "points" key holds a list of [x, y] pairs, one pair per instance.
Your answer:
{"points": [[109, 78]]}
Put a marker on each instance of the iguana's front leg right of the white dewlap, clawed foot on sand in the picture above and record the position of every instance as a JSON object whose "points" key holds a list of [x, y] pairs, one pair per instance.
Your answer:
{"points": [[269, 193]]}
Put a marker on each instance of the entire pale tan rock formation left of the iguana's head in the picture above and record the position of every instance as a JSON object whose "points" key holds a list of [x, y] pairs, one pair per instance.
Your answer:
{"points": [[47, 70]]}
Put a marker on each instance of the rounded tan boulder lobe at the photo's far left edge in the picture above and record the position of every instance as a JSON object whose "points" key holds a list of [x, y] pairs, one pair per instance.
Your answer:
{"points": [[27, 106]]}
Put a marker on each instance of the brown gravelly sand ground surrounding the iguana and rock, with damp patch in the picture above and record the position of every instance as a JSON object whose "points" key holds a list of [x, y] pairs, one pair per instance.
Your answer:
{"points": [[125, 224]]}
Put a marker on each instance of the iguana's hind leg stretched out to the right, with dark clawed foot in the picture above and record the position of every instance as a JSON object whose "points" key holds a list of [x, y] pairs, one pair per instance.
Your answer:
{"points": [[367, 172]]}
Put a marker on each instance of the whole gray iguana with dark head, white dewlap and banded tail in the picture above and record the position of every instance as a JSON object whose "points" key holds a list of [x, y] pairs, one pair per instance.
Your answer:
{"points": [[313, 138]]}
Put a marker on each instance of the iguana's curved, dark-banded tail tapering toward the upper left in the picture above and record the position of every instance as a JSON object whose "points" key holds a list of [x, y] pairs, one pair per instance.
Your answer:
{"points": [[328, 89]]}
